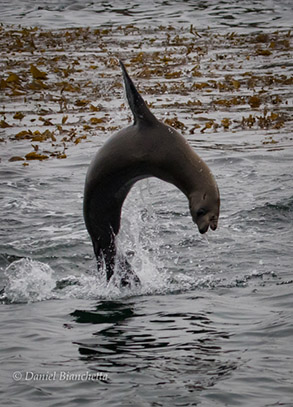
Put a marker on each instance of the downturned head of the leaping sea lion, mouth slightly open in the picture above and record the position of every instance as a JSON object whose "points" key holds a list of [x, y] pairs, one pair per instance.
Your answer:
{"points": [[205, 208]]}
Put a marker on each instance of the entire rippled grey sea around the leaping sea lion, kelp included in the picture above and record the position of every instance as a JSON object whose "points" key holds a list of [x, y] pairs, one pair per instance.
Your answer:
{"points": [[211, 324]]}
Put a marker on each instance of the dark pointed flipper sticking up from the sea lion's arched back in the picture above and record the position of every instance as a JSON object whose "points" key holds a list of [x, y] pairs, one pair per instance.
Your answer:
{"points": [[136, 103]]}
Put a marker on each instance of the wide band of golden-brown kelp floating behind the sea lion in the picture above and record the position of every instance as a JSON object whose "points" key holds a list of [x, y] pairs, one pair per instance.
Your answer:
{"points": [[235, 81]]}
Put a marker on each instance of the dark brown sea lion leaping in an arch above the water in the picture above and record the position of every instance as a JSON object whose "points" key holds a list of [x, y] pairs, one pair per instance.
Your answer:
{"points": [[147, 148]]}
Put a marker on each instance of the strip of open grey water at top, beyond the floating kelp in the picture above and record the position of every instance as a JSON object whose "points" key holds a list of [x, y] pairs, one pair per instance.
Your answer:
{"points": [[240, 15]]}
